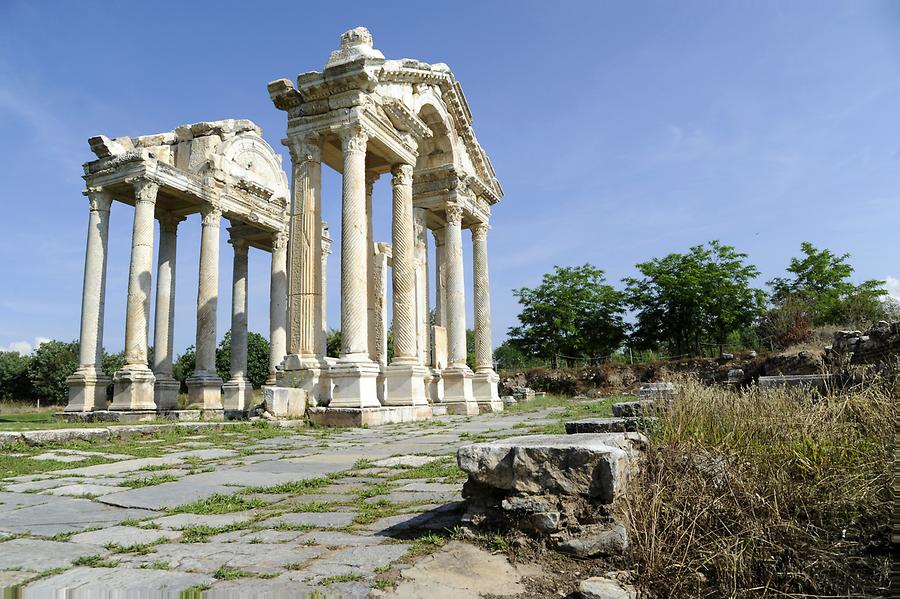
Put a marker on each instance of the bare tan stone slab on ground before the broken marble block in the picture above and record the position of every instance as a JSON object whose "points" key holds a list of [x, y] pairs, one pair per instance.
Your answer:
{"points": [[462, 571]]}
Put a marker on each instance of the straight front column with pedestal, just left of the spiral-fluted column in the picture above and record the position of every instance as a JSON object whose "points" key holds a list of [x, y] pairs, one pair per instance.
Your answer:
{"points": [[354, 376]]}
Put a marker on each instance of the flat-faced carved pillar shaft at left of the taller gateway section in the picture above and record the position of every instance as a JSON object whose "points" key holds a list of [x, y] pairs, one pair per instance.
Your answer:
{"points": [[305, 253]]}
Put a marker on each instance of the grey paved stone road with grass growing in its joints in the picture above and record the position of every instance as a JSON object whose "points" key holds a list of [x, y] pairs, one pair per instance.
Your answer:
{"points": [[238, 512]]}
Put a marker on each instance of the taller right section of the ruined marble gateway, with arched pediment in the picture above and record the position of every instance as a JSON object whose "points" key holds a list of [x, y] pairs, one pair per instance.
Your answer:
{"points": [[365, 117]]}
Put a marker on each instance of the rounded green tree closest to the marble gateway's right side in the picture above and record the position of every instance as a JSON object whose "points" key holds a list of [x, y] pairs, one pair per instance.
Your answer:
{"points": [[572, 313]]}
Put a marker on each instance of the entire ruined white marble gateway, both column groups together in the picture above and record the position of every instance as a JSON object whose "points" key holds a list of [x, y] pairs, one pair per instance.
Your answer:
{"points": [[365, 117]]}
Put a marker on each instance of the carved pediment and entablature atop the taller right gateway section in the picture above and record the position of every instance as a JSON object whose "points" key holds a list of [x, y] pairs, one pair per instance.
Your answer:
{"points": [[413, 112]]}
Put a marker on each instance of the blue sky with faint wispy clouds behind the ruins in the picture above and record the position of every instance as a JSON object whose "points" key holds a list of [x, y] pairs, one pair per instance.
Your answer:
{"points": [[620, 131]]}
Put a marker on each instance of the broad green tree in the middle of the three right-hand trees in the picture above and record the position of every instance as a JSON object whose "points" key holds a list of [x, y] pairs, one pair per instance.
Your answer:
{"points": [[684, 300]]}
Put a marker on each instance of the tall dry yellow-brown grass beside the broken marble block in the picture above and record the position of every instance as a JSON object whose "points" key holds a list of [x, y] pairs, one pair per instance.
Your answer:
{"points": [[766, 494]]}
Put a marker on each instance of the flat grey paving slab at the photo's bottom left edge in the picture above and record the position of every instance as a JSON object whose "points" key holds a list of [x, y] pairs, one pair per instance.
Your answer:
{"points": [[126, 582]]}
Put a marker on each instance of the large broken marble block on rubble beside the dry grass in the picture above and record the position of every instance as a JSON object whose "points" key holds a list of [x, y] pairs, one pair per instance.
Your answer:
{"points": [[563, 488]]}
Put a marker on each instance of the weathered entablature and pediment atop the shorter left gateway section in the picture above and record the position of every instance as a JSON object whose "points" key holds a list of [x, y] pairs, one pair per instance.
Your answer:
{"points": [[226, 164]]}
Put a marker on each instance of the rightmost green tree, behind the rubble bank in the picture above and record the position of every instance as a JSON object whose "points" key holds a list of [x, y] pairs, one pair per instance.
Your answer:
{"points": [[820, 280]]}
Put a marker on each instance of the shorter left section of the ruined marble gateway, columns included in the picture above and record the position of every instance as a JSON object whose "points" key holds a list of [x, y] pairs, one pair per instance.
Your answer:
{"points": [[220, 168]]}
